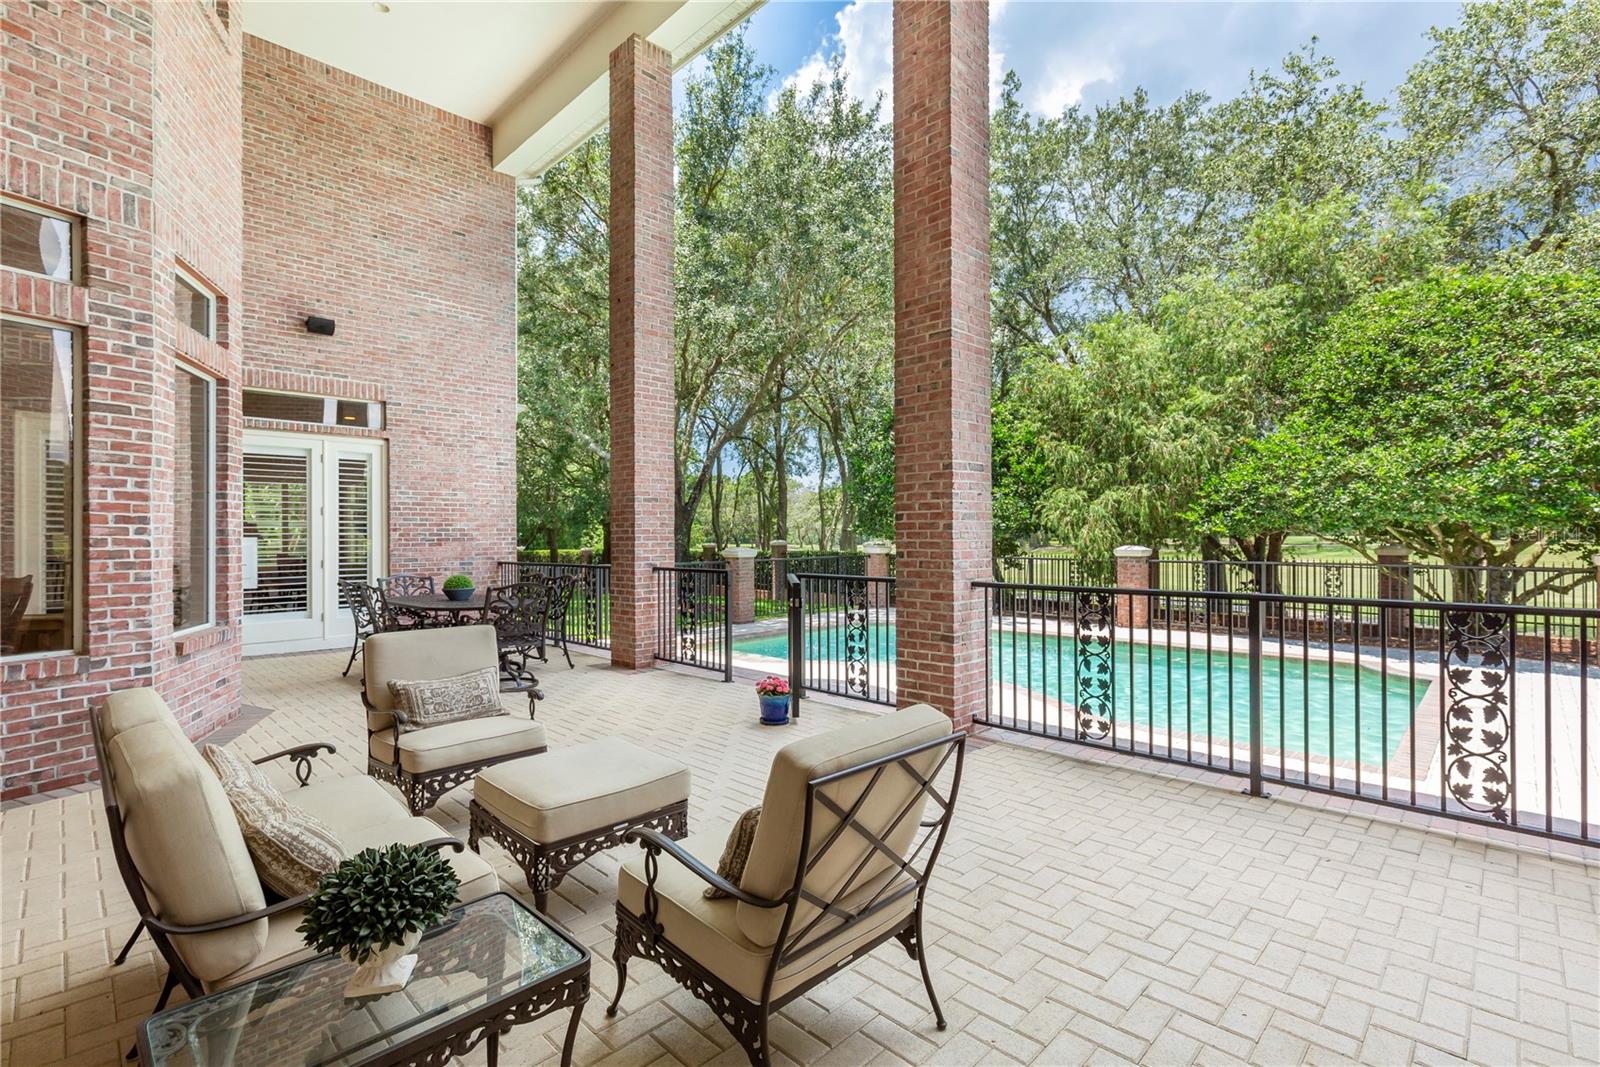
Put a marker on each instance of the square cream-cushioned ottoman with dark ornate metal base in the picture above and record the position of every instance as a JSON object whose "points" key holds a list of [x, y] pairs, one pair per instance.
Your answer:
{"points": [[556, 810]]}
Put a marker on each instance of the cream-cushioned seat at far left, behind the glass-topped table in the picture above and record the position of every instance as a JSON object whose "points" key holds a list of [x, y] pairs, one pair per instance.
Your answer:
{"points": [[183, 855]]}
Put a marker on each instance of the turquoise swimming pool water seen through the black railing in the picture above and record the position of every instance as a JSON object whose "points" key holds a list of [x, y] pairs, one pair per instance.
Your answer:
{"points": [[1188, 690]]}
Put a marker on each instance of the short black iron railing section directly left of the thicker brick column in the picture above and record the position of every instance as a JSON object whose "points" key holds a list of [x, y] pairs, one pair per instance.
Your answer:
{"points": [[842, 636]]}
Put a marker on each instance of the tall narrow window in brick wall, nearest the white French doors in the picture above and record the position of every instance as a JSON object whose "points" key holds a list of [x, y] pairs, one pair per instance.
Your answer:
{"points": [[194, 502]]}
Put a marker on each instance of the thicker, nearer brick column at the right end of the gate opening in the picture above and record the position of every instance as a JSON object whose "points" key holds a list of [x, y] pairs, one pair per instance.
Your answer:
{"points": [[942, 351]]}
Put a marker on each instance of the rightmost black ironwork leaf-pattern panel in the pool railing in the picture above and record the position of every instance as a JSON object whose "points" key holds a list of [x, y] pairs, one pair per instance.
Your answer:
{"points": [[1478, 746]]}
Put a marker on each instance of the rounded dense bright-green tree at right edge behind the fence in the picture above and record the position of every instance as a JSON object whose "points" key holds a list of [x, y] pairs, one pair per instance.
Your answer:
{"points": [[1457, 415]]}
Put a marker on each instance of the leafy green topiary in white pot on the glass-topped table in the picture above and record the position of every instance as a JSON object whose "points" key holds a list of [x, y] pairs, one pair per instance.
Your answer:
{"points": [[374, 908]]}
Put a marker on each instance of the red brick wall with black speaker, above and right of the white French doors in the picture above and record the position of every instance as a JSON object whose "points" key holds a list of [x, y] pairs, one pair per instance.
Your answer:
{"points": [[385, 215]]}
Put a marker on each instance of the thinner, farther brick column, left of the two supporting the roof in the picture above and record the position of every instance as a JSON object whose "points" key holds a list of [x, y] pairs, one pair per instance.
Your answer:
{"points": [[642, 404]]}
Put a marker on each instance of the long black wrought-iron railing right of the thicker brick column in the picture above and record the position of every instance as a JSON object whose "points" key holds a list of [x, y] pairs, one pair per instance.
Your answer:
{"points": [[1481, 716]]}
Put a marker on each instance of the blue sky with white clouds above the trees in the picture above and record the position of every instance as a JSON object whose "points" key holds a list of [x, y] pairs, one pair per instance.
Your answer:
{"points": [[1097, 52]]}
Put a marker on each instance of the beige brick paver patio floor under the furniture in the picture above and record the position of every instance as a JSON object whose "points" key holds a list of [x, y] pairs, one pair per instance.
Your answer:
{"points": [[1084, 913]]}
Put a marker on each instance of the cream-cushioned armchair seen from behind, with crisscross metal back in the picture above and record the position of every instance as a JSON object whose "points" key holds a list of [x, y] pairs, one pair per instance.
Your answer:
{"points": [[839, 865]]}
